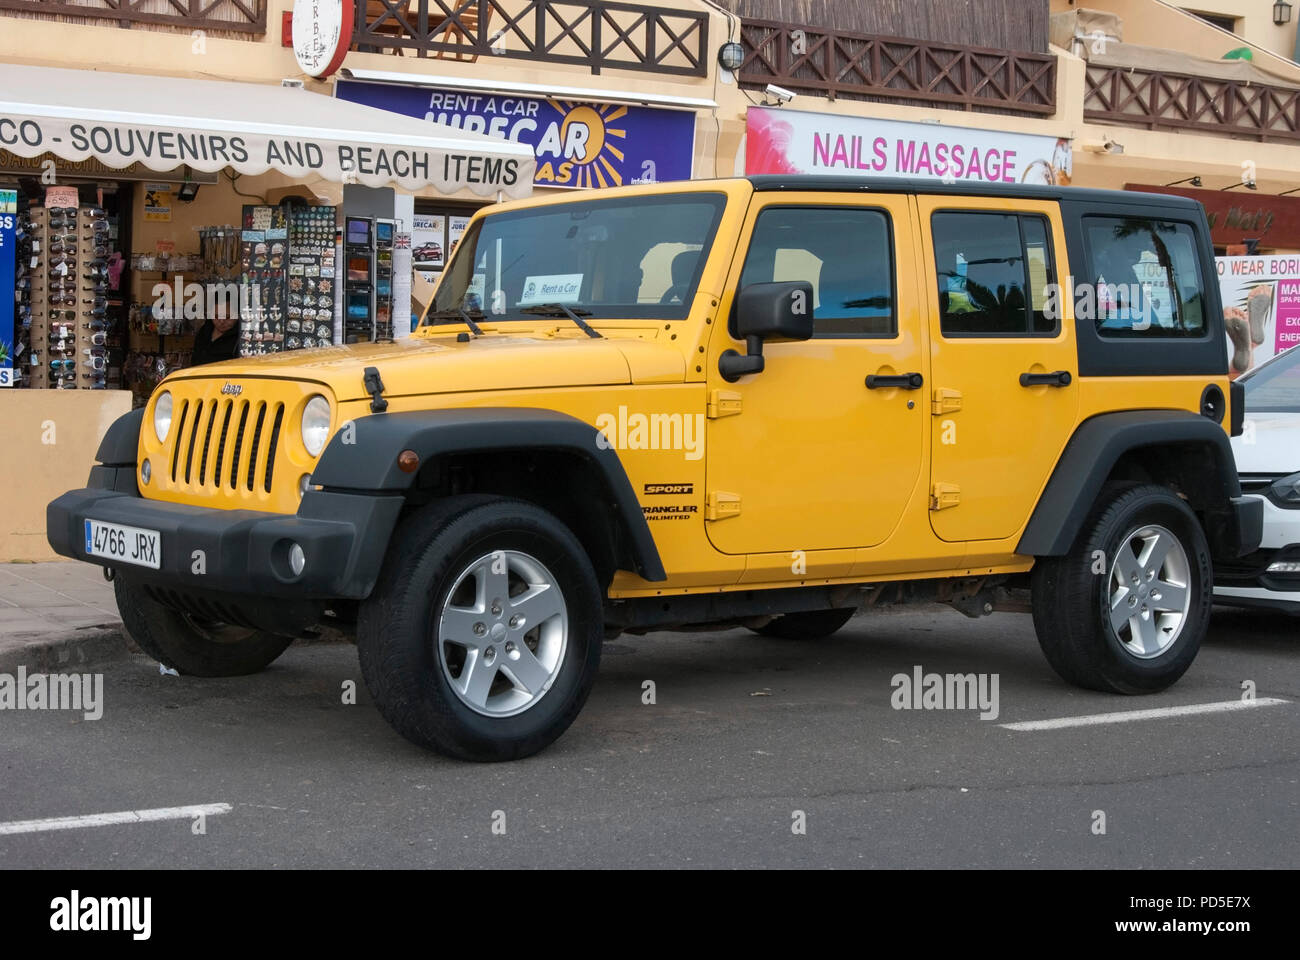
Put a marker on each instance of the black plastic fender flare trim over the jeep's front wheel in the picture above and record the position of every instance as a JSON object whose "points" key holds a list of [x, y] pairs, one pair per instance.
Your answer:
{"points": [[363, 456]]}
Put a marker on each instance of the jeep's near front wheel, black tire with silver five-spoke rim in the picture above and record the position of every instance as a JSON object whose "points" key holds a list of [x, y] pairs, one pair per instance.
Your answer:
{"points": [[483, 638]]}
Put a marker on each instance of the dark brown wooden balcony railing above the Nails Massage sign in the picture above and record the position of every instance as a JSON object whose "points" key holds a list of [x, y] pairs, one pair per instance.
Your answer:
{"points": [[861, 67]]}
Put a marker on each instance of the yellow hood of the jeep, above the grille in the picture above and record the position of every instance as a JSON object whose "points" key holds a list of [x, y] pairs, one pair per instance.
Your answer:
{"points": [[440, 365]]}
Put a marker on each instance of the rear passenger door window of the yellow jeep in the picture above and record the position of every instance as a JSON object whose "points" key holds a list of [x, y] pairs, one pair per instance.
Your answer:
{"points": [[995, 273]]}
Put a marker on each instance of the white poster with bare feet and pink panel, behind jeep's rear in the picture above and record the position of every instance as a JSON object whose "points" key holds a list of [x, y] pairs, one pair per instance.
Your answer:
{"points": [[1262, 308]]}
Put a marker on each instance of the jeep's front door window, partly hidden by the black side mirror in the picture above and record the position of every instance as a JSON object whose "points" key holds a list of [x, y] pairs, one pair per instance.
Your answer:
{"points": [[846, 253]]}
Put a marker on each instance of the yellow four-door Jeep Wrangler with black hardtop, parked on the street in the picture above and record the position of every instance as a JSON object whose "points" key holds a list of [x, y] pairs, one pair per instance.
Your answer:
{"points": [[765, 403]]}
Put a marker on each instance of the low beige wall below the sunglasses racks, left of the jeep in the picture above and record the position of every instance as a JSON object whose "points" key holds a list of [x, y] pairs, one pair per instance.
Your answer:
{"points": [[50, 439]]}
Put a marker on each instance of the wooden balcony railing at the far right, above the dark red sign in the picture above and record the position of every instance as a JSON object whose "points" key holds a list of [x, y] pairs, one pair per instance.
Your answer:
{"points": [[1180, 102]]}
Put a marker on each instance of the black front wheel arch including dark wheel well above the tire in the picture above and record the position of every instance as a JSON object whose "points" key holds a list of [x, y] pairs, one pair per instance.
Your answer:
{"points": [[541, 456]]}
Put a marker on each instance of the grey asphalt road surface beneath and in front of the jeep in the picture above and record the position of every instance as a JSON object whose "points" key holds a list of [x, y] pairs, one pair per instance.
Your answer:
{"points": [[756, 753]]}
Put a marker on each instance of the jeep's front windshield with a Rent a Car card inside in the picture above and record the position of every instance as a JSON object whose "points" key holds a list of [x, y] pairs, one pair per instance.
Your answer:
{"points": [[638, 257]]}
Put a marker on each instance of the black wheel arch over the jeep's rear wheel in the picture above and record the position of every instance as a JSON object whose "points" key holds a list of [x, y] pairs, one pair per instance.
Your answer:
{"points": [[1176, 448]]}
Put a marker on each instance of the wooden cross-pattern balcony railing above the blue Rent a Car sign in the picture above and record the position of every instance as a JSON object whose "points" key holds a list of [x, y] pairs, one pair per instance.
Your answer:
{"points": [[587, 33]]}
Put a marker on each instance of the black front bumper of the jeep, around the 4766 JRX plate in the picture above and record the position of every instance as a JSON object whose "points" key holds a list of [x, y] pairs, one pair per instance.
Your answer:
{"points": [[241, 553]]}
